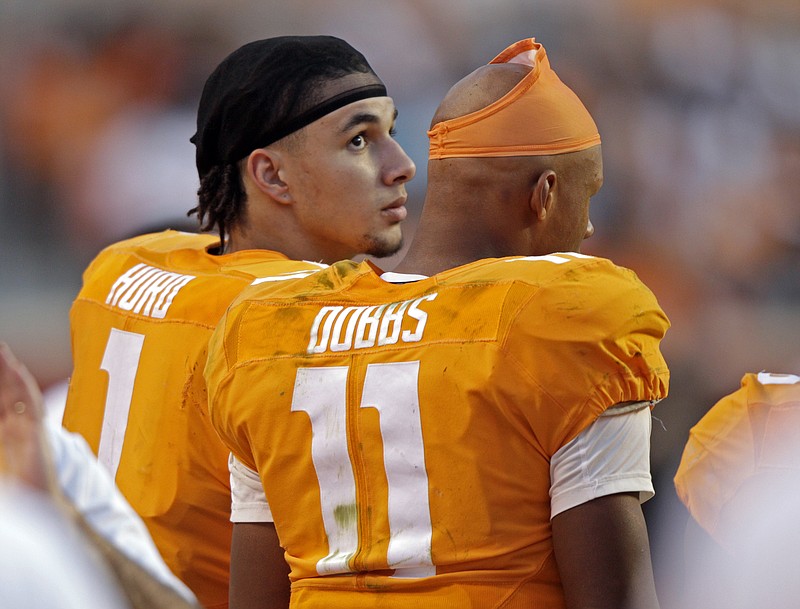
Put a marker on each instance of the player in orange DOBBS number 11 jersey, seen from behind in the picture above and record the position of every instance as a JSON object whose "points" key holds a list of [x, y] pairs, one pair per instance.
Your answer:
{"points": [[471, 430]]}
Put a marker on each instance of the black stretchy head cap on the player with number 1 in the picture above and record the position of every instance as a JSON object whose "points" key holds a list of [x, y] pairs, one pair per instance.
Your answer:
{"points": [[261, 92]]}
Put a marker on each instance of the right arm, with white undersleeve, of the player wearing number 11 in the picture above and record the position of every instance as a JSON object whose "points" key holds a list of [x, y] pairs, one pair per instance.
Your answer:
{"points": [[599, 480]]}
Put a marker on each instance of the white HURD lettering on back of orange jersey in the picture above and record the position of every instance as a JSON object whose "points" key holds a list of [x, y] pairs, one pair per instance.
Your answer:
{"points": [[146, 290]]}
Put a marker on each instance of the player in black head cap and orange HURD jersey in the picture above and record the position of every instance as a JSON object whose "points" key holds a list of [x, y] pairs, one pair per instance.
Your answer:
{"points": [[298, 168]]}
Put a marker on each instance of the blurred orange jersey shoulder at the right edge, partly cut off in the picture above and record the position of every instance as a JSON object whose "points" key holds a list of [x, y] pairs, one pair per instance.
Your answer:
{"points": [[745, 438]]}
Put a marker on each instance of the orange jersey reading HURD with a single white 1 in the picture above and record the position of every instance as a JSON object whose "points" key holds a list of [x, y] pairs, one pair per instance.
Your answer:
{"points": [[140, 329]]}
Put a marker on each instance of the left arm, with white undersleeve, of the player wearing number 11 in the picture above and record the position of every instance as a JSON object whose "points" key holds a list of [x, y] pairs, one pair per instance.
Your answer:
{"points": [[259, 573]]}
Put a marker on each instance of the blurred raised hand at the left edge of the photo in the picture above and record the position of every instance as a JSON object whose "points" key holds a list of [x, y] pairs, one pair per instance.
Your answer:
{"points": [[24, 452]]}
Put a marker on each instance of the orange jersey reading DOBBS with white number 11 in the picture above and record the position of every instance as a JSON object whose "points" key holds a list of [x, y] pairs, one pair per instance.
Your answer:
{"points": [[403, 433]]}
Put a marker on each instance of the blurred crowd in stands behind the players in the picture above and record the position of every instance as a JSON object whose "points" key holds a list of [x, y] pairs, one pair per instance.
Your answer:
{"points": [[697, 102]]}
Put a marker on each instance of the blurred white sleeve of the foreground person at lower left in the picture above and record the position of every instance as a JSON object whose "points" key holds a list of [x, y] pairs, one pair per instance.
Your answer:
{"points": [[90, 488]]}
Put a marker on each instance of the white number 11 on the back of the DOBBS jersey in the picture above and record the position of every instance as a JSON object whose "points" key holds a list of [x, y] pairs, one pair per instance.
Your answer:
{"points": [[391, 389]]}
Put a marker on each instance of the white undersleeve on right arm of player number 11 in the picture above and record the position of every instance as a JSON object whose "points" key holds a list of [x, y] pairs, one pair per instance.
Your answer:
{"points": [[610, 456]]}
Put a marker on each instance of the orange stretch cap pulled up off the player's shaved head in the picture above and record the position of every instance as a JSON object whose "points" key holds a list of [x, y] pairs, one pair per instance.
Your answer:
{"points": [[539, 116]]}
